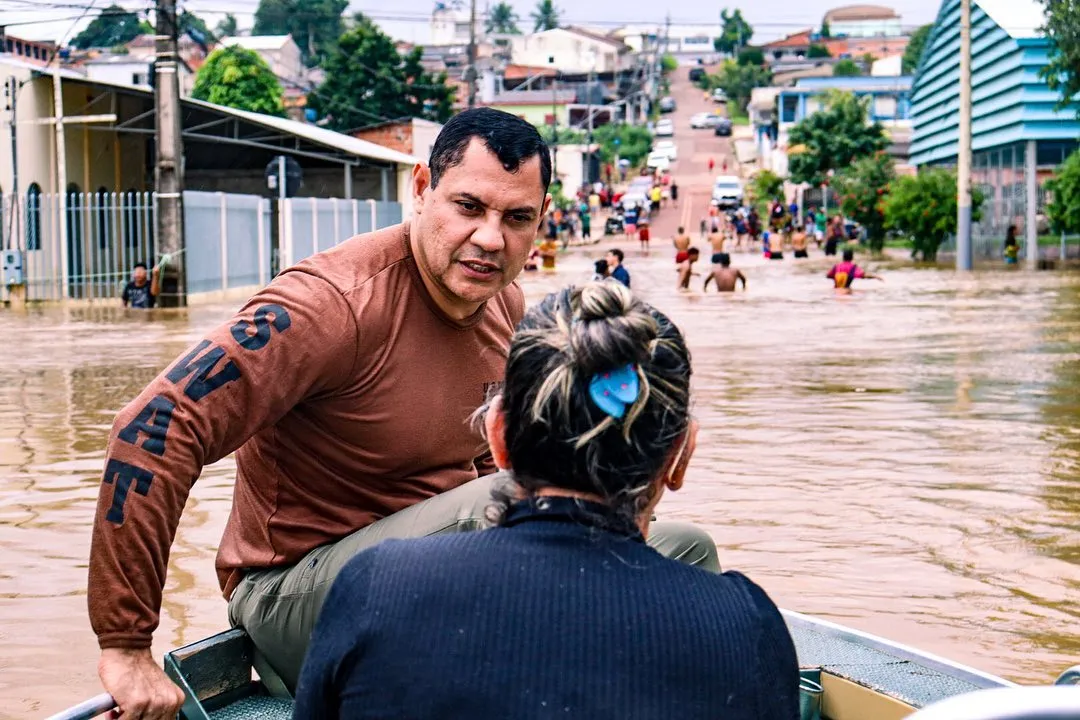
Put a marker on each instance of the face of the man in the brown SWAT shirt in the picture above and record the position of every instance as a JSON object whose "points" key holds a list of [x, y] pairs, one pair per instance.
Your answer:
{"points": [[474, 233]]}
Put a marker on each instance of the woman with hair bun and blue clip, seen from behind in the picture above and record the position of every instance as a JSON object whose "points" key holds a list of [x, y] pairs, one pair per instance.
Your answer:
{"points": [[562, 610]]}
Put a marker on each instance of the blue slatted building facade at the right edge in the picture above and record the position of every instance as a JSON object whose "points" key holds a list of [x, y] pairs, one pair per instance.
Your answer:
{"points": [[1019, 135]]}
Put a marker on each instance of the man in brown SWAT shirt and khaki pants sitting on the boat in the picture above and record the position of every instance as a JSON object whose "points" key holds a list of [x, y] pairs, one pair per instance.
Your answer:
{"points": [[346, 389]]}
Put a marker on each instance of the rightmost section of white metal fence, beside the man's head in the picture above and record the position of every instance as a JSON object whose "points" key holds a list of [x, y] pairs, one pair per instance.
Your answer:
{"points": [[317, 224]]}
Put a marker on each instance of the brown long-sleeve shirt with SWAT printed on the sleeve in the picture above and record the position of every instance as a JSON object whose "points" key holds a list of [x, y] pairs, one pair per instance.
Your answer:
{"points": [[346, 393]]}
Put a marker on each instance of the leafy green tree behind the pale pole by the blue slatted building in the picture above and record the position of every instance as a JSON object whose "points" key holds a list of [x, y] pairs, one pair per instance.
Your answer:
{"points": [[923, 209]]}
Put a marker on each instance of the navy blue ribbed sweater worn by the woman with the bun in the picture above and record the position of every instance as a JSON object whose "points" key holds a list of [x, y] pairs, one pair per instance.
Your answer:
{"points": [[561, 613]]}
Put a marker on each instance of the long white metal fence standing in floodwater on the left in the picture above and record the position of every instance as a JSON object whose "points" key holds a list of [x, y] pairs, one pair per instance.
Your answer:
{"points": [[85, 246]]}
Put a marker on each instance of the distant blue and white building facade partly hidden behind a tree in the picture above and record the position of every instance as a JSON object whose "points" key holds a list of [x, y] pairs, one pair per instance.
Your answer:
{"points": [[889, 98]]}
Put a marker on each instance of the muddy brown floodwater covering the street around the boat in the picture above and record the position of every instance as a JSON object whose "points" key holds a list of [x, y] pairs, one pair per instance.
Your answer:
{"points": [[904, 460]]}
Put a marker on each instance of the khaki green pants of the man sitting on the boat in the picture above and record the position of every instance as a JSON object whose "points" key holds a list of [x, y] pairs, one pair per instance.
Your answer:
{"points": [[279, 607]]}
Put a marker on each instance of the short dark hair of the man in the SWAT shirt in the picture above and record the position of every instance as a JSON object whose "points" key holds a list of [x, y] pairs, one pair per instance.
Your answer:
{"points": [[512, 140]]}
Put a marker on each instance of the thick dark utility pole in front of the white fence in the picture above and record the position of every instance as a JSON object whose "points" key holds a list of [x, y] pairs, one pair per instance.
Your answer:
{"points": [[170, 156]]}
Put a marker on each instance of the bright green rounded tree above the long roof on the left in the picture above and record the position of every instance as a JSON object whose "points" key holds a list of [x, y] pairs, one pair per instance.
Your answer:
{"points": [[241, 79]]}
